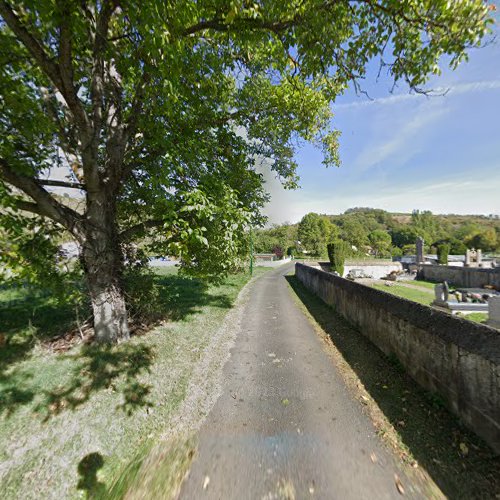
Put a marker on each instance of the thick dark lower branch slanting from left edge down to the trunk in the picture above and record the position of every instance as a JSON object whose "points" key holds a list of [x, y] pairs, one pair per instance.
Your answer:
{"points": [[46, 204]]}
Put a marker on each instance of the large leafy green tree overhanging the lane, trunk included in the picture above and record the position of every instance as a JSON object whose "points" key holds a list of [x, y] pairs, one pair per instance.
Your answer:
{"points": [[157, 109]]}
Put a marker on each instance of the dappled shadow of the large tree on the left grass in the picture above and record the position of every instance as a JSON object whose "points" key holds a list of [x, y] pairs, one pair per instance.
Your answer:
{"points": [[93, 367]]}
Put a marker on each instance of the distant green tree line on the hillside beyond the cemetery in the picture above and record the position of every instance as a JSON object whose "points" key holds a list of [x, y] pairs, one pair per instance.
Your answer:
{"points": [[378, 233]]}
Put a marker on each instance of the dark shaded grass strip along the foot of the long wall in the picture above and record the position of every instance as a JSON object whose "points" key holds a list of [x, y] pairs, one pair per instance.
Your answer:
{"points": [[460, 463]]}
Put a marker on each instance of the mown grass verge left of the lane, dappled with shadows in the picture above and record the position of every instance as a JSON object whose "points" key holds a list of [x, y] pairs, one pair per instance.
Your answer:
{"points": [[71, 424]]}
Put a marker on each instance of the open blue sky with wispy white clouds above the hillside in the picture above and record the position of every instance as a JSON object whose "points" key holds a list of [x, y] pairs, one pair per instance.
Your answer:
{"points": [[402, 152]]}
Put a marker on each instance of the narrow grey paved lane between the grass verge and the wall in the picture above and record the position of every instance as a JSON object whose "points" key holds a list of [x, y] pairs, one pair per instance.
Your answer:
{"points": [[286, 426]]}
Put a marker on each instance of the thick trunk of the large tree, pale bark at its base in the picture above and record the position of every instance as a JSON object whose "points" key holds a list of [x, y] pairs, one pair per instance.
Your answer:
{"points": [[103, 264]]}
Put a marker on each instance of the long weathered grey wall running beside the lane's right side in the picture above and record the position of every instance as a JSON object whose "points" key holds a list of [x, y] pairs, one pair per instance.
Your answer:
{"points": [[456, 358]]}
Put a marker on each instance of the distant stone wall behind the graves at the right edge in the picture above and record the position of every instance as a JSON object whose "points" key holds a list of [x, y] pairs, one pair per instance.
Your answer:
{"points": [[468, 277]]}
